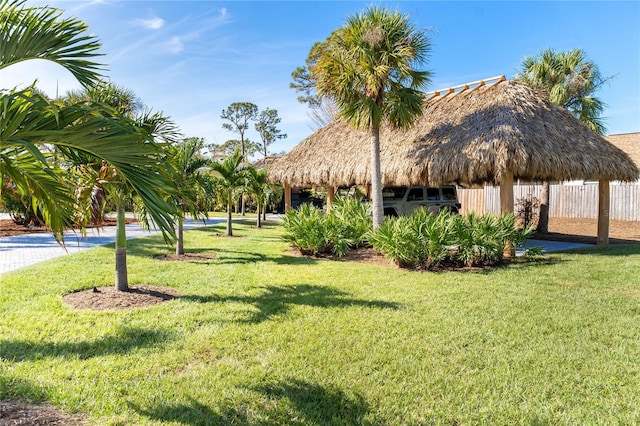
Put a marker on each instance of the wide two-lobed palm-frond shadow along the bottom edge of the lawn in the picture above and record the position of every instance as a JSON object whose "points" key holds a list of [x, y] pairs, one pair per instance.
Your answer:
{"points": [[307, 403]]}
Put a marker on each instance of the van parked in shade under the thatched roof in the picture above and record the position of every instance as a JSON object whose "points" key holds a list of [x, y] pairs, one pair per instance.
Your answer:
{"points": [[402, 200]]}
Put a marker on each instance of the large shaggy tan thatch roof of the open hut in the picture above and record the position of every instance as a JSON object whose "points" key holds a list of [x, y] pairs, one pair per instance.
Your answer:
{"points": [[469, 135]]}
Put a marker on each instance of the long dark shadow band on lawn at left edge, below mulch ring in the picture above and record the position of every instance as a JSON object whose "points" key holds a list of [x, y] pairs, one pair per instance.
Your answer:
{"points": [[122, 342]]}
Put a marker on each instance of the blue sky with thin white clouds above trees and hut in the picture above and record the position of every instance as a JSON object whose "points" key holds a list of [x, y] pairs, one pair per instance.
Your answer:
{"points": [[192, 59]]}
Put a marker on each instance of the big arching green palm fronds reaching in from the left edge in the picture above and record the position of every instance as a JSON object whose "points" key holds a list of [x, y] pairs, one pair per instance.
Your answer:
{"points": [[30, 124]]}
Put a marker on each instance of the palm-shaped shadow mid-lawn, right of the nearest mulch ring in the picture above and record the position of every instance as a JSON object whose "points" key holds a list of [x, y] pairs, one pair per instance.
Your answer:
{"points": [[278, 300]]}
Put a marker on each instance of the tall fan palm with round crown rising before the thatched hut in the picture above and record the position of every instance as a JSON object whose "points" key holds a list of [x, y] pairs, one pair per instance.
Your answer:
{"points": [[367, 69]]}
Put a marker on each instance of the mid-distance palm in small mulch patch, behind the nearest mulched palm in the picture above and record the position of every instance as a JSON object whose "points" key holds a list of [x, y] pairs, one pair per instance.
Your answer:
{"points": [[190, 165]]}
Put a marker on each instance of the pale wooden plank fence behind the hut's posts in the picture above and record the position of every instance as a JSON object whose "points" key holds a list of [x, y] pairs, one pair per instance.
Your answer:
{"points": [[571, 201]]}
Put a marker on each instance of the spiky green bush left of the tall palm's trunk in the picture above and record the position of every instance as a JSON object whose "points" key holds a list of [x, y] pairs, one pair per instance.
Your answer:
{"points": [[314, 232]]}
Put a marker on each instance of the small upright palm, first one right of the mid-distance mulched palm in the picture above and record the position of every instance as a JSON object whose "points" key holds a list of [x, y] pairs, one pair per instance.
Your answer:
{"points": [[231, 178]]}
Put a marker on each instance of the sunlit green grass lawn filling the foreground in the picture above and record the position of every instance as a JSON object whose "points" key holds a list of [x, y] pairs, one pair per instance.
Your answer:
{"points": [[262, 337]]}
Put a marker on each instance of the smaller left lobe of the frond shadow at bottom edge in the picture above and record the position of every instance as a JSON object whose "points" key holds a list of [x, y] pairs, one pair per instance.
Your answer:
{"points": [[193, 413]]}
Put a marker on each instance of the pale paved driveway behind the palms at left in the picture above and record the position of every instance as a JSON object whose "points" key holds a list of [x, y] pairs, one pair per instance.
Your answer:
{"points": [[19, 251]]}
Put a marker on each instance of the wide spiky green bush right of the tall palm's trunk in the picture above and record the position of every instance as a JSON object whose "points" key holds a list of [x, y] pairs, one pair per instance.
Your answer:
{"points": [[428, 241]]}
